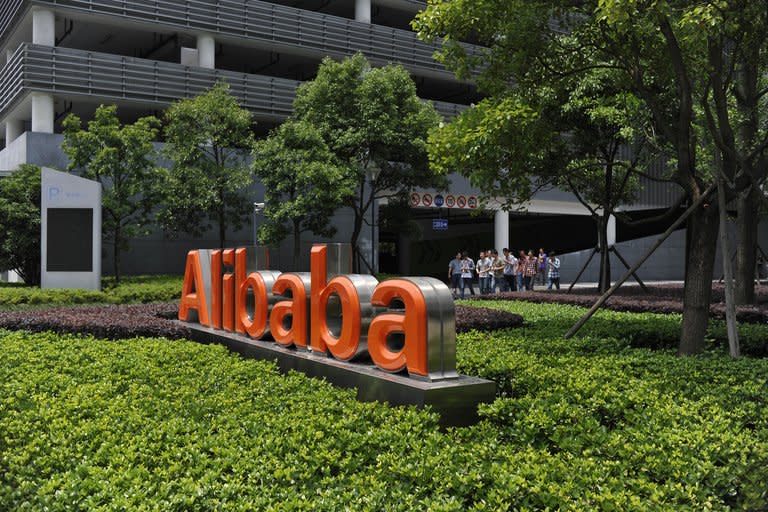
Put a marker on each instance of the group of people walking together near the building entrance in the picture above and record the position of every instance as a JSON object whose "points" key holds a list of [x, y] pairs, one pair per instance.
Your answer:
{"points": [[503, 272]]}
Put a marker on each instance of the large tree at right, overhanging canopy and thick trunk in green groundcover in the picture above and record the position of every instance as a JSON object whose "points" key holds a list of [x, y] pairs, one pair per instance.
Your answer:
{"points": [[660, 53]]}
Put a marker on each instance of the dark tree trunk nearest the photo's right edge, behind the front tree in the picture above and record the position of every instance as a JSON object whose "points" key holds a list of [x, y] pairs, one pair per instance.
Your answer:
{"points": [[746, 248]]}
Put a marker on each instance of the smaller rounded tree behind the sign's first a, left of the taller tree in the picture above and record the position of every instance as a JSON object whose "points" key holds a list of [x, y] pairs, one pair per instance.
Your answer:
{"points": [[303, 184]]}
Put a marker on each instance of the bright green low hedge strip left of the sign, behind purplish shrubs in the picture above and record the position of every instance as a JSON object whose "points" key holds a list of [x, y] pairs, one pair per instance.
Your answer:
{"points": [[141, 289]]}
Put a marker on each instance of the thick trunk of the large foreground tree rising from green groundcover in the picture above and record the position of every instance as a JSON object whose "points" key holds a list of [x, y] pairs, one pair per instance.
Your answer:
{"points": [[700, 263]]}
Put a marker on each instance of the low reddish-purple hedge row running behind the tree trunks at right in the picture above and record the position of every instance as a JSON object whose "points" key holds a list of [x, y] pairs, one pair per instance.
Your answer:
{"points": [[630, 303]]}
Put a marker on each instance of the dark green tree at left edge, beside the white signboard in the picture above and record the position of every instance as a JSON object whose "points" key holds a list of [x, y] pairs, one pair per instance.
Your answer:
{"points": [[20, 219]]}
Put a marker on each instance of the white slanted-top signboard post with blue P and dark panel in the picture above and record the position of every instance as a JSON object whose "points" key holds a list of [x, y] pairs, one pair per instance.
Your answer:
{"points": [[70, 231]]}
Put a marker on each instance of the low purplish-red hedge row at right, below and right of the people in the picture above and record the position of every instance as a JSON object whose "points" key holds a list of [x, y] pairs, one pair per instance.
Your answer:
{"points": [[658, 299]]}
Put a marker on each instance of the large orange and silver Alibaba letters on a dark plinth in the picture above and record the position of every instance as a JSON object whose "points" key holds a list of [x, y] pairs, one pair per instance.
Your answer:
{"points": [[404, 325]]}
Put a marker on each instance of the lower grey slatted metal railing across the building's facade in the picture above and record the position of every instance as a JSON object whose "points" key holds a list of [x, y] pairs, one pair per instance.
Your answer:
{"points": [[105, 77]]}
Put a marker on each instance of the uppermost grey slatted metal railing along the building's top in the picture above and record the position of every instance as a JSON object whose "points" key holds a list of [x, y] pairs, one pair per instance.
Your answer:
{"points": [[268, 25]]}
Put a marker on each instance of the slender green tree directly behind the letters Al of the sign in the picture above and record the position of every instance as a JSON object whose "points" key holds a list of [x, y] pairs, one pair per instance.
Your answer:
{"points": [[208, 139]]}
